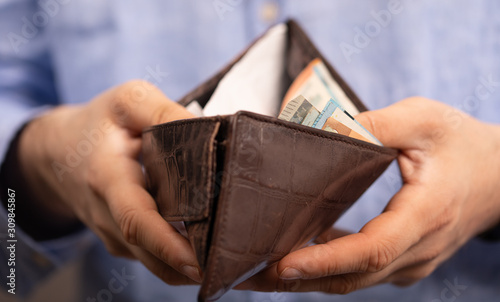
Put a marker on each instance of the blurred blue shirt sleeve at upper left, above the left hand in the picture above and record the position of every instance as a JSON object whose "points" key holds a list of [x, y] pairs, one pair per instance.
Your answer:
{"points": [[26, 79]]}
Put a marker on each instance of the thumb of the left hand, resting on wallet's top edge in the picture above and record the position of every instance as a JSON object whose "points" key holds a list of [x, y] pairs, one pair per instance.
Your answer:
{"points": [[139, 104]]}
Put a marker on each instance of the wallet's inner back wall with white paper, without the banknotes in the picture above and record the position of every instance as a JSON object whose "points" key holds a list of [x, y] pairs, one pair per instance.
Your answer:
{"points": [[276, 59]]}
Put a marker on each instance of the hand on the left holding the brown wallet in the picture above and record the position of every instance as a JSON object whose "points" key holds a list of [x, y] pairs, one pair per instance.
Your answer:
{"points": [[82, 163]]}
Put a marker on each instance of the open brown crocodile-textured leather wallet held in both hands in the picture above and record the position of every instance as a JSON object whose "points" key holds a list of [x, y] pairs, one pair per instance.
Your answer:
{"points": [[251, 188]]}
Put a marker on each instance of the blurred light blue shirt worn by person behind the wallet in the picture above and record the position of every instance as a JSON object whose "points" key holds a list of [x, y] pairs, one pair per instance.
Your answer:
{"points": [[68, 51]]}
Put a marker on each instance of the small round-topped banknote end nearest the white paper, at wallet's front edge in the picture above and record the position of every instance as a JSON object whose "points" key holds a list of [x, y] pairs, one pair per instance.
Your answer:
{"points": [[300, 111]]}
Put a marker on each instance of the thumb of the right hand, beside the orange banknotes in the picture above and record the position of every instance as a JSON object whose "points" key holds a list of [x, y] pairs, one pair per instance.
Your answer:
{"points": [[381, 123]]}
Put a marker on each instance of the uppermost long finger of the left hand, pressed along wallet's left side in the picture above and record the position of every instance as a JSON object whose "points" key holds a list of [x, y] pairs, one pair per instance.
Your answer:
{"points": [[135, 212]]}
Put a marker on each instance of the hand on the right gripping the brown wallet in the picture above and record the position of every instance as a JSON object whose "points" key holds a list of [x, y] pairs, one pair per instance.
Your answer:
{"points": [[450, 165]]}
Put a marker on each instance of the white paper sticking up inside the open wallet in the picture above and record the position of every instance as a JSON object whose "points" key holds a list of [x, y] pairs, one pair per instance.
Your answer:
{"points": [[255, 82]]}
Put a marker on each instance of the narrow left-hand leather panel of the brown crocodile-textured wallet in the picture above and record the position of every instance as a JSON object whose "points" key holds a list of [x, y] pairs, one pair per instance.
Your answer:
{"points": [[180, 166]]}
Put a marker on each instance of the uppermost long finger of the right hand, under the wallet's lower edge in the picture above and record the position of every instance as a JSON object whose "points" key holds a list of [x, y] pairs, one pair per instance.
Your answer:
{"points": [[377, 245]]}
